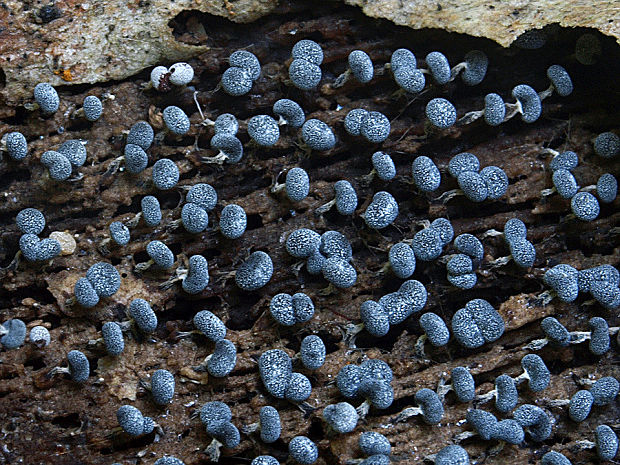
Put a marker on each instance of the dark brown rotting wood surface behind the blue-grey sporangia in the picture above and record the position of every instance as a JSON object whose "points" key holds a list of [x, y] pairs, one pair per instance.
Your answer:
{"points": [[57, 421]]}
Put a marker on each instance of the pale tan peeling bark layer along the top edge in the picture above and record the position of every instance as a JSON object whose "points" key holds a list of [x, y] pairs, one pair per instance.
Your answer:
{"points": [[48, 45]]}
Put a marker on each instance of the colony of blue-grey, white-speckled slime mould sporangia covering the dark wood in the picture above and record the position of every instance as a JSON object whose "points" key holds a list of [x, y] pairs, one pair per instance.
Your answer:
{"points": [[330, 255]]}
